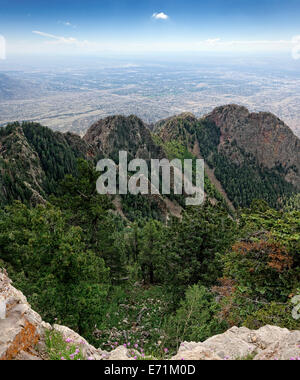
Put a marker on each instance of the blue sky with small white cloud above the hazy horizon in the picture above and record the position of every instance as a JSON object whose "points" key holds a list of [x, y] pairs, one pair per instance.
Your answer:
{"points": [[55, 27]]}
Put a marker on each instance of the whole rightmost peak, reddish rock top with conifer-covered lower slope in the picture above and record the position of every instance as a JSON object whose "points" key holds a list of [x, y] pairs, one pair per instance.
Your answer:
{"points": [[248, 156]]}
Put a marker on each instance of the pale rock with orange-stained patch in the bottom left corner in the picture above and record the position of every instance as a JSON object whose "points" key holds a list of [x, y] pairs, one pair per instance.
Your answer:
{"points": [[23, 332]]}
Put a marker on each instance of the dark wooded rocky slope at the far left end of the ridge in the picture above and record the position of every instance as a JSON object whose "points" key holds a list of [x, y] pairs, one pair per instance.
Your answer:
{"points": [[33, 159]]}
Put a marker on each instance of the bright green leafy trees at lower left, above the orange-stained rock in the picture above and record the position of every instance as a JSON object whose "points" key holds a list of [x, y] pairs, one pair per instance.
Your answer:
{"points": [[49, 262]]}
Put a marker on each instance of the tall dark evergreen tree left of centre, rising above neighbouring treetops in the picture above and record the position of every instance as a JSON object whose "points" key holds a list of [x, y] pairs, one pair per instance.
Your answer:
{"points": [[84, 207]]}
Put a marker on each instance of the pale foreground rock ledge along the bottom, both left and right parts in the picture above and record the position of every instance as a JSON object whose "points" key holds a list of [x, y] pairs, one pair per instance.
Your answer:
{"points": [[22, 337]]}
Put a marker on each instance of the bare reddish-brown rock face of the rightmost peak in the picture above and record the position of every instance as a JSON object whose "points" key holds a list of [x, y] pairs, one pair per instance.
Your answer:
{"points": [[263, 135]]}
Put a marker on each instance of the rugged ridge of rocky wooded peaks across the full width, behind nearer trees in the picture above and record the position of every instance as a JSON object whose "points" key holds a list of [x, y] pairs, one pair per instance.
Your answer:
{"points": [[268, 168]]}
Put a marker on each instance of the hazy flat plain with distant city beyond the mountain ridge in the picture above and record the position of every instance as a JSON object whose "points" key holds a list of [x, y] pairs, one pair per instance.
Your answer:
{"points": [[71, 98]]}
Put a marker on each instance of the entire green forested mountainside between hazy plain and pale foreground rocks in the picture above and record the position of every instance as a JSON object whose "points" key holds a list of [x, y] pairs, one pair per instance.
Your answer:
{"points": [[135, 275]]}
